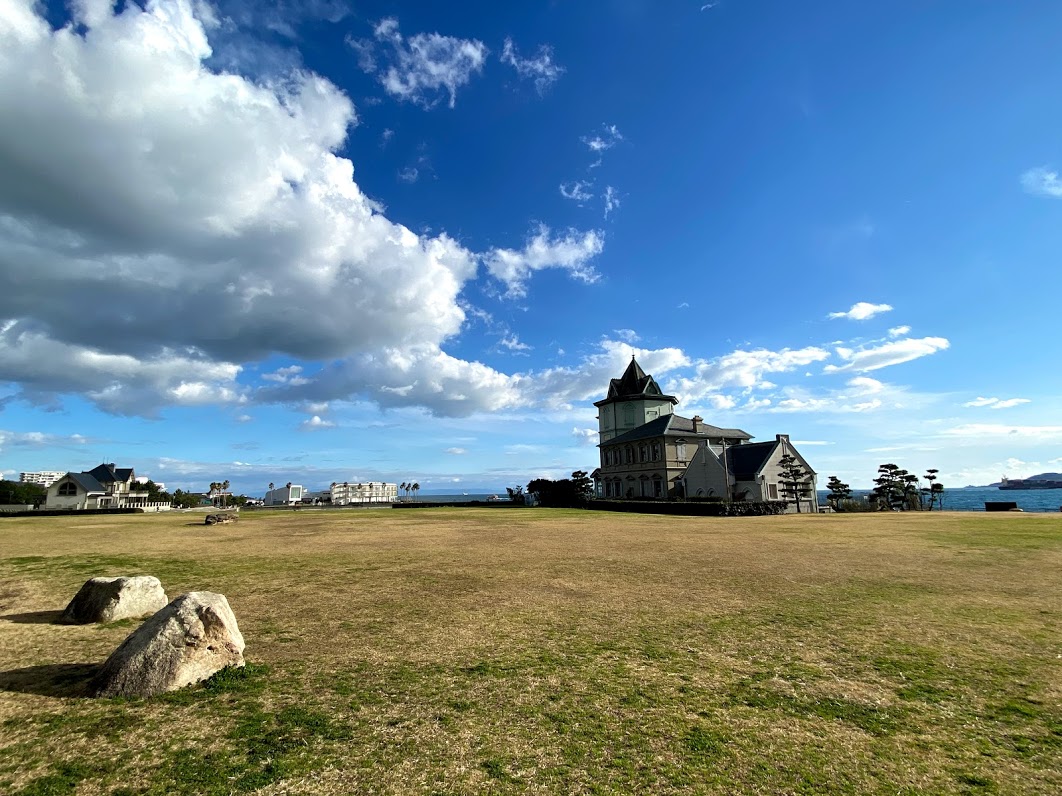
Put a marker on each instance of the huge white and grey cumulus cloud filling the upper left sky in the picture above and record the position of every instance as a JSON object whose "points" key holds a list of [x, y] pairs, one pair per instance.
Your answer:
{"points": [[181, 221]]}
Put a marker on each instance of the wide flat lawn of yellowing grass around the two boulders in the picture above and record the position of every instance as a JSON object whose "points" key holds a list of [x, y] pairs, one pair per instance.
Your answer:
{"points": [[550, 652]]}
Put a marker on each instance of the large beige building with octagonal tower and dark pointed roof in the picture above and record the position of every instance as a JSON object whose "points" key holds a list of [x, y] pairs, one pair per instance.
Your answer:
{"points": [[648, 452]]}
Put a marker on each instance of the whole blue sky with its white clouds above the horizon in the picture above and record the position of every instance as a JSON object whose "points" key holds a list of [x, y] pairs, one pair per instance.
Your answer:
{"points": [[319, 241]]}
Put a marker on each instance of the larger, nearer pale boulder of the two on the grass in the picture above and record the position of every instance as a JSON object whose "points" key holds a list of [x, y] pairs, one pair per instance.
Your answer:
{"points": [[191, 639]]}
